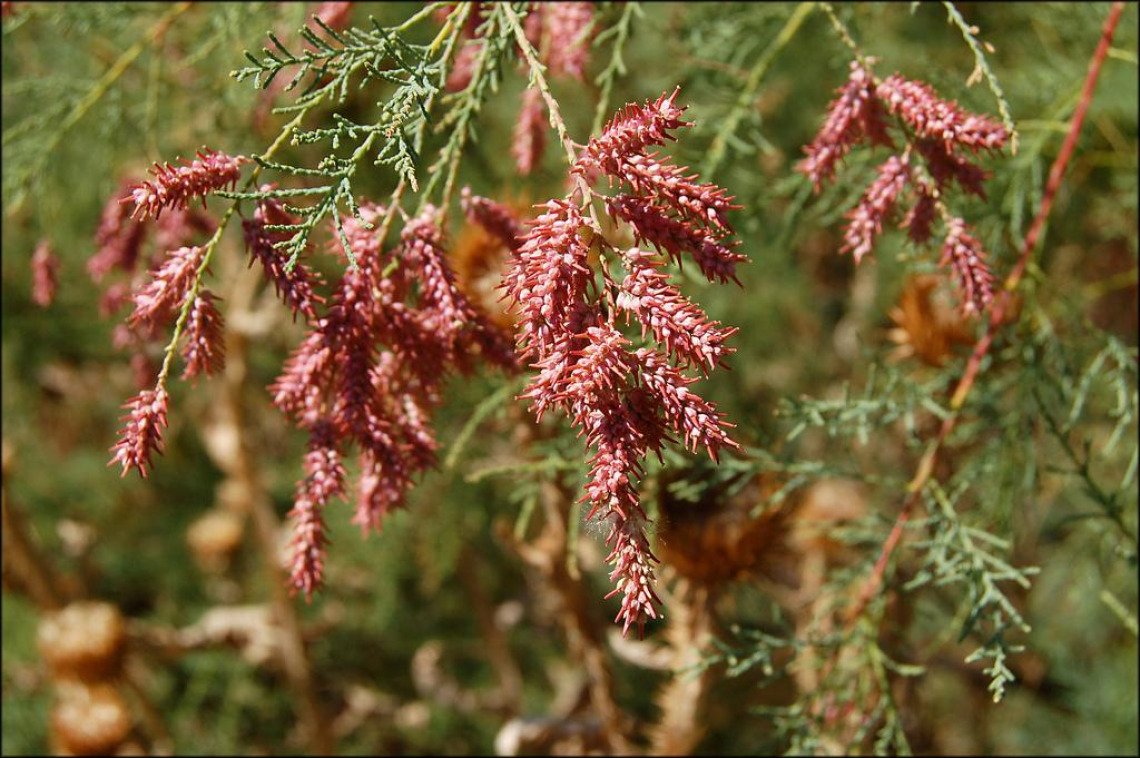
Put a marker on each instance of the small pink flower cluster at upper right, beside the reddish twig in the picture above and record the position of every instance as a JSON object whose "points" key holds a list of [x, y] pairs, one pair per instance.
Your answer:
{"points": [[943, 137]]}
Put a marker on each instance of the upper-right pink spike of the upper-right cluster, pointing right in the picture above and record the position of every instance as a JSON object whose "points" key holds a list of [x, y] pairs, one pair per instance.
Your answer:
{"points": [[938, 119]]}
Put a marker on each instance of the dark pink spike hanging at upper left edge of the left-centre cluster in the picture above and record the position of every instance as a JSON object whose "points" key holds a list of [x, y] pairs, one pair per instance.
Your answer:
{"points": [[296, 288]]}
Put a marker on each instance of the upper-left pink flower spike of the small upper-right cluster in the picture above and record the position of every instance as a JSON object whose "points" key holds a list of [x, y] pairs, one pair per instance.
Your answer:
{"points": [[856, 116]]}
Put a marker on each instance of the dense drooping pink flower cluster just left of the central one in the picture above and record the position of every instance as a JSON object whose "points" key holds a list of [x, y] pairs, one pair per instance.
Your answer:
{"points": [[370, 369]]}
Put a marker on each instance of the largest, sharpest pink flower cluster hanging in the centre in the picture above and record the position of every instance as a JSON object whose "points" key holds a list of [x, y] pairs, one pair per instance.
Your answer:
{"points": [[628, 402]]}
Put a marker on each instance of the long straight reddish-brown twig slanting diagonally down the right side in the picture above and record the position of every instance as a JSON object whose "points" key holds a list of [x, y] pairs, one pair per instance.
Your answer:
{"points": [[1000, 309]]}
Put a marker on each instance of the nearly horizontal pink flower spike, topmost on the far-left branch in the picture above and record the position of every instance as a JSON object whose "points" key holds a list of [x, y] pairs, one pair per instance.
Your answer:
{"points": [[177, 186]]}
